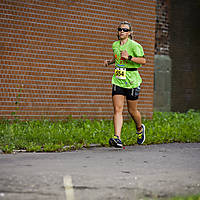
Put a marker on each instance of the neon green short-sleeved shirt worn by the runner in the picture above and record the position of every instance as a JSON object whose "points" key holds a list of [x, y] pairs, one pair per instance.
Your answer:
{"points": [[133, 78]]}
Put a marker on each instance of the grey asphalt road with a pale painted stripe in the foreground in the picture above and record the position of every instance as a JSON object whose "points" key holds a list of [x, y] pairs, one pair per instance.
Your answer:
{"points": [[136, 173]]}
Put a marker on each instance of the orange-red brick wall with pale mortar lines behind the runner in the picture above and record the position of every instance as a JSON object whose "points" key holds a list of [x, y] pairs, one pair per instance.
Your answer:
{"points": [[52, 54]]}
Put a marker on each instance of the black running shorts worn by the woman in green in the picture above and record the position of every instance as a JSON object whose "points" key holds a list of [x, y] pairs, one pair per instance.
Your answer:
{"points": [[130, 94]]}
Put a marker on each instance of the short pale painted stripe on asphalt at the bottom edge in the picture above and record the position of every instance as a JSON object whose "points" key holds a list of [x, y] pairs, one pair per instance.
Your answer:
{"points": [[69, 191]]}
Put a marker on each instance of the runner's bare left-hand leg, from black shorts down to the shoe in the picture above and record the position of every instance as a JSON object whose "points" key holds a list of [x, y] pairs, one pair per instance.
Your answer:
{"points": [[118, 104]]}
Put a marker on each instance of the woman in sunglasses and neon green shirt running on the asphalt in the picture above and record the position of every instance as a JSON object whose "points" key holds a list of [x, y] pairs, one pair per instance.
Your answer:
{"points": [[128, 56]]}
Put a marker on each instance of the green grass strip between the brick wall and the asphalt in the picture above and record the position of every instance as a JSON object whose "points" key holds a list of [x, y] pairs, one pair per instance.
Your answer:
{"points": [[44, 135]]}
